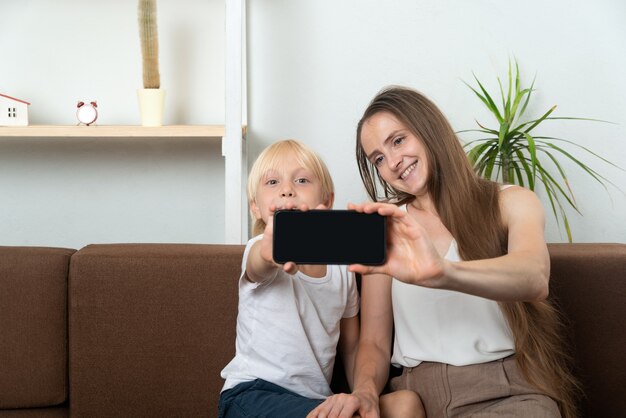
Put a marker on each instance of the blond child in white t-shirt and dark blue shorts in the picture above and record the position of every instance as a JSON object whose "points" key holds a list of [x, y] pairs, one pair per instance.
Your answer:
{"points": [[292, 318]]}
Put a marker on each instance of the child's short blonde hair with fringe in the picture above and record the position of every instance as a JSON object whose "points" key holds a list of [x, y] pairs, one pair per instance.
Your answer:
{"points": [[272, 156]]}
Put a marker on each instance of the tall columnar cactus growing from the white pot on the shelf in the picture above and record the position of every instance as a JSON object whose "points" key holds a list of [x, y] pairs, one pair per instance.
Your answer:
{"points": [[148, 35]]}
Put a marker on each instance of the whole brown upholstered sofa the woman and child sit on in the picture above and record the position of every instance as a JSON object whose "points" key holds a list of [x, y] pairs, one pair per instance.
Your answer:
{"points": [[143, 330]]}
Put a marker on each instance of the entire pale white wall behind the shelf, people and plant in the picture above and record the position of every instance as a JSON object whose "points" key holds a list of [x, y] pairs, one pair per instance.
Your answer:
{"points": [[312, 68]]}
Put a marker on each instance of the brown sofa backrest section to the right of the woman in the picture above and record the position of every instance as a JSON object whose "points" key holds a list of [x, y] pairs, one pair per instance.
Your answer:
{"points": [[588, 282]]}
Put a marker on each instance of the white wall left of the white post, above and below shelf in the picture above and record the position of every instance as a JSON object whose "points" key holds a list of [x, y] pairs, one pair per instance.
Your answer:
{"points": [[72, 192]]}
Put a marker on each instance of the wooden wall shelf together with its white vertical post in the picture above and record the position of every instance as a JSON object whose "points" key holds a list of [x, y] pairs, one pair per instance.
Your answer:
{"points": [[231, 135]]}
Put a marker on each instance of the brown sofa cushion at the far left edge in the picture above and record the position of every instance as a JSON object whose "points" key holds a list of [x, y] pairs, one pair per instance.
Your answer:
{"points": [[33, 326]]}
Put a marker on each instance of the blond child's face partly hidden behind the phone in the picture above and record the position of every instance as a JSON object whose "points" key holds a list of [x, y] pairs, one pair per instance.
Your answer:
{"points": [[288, 185]]}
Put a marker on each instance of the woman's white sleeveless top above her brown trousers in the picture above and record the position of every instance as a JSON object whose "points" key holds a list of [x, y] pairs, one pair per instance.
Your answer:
{"points": [[446, 326]]}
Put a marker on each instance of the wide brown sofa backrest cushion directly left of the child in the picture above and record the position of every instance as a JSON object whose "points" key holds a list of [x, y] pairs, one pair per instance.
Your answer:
{"points": [[151, 326]]}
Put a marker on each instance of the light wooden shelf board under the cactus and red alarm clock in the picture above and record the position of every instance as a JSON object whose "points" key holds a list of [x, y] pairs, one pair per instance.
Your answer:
{"points": [[113, 131]]}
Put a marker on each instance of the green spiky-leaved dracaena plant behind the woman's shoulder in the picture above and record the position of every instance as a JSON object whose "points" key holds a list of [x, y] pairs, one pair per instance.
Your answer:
{"points": [[512, 152]]}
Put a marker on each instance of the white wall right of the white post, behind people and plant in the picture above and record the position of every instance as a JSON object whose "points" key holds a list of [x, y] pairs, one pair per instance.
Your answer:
{"points": [[314, 65]]}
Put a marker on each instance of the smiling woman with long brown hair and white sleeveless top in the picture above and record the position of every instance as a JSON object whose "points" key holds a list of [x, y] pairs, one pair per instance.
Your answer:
{"points": [[470, 267]]}
